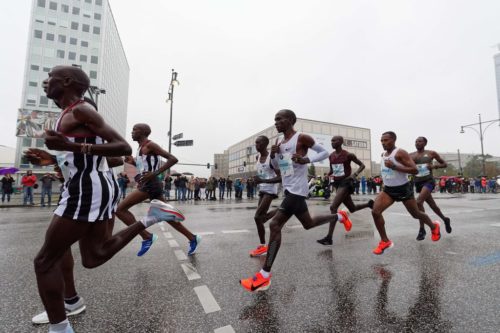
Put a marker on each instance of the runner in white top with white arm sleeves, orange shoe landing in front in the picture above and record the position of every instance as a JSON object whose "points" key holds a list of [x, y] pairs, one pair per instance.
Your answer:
{"points": [[291, 157]]}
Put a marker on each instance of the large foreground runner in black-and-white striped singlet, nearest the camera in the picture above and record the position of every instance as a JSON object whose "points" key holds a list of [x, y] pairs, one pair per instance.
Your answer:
{"points": [[82, 139]]}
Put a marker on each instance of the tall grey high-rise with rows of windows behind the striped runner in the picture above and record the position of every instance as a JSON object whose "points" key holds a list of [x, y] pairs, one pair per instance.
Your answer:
{"points": [[71, 32]]}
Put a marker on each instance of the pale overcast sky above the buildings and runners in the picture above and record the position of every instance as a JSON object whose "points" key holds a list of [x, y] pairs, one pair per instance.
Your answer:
{"points": [[421, 67]]}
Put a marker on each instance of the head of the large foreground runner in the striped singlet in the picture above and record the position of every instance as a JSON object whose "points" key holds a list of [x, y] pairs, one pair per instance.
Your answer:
{"points": [[66, 80]]}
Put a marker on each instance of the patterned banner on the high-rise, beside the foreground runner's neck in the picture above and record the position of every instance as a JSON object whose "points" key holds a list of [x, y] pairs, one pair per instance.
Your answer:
{"points": [[33, 123]]}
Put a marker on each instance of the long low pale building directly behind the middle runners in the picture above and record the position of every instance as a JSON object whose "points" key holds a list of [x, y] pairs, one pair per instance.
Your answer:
{"points": [[241, 156]]}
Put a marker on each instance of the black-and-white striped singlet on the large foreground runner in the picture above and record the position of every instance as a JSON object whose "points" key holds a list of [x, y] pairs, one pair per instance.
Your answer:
{"points": [[90, 191]]}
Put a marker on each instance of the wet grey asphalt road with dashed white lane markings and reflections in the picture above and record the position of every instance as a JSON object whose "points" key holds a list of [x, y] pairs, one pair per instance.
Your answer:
{"points": [[449, 286]]}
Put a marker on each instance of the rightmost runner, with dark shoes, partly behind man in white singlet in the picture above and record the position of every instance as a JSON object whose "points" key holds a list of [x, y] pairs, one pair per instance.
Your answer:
{"points": [[424, 181]]}
